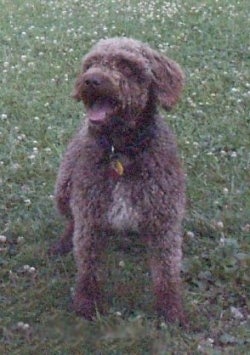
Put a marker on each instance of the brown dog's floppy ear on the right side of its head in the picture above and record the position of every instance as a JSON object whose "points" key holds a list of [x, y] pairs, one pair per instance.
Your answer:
{"points": [[168, 79]]}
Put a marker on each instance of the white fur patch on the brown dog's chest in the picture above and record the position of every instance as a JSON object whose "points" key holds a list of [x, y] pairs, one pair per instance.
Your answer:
{"points": [[122, 213]]}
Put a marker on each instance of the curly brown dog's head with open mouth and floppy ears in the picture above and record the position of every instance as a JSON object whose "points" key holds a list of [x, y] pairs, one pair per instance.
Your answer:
{"points": [[121, 77]]}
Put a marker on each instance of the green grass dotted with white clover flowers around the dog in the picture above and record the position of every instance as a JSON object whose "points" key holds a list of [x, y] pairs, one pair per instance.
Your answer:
{"points": [[42, 43]]}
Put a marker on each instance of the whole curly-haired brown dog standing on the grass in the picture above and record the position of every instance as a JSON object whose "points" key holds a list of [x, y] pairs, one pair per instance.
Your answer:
{"points": [[121, 171]]}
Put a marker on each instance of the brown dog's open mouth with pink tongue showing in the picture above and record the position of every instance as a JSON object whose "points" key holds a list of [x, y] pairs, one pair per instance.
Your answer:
{"points": [[101, 110]]}
